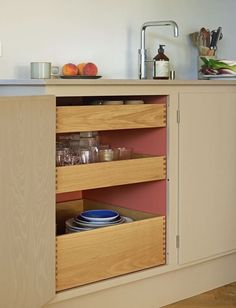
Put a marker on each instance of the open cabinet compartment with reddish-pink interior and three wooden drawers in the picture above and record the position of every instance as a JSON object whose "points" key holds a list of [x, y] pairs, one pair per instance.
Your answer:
{"points": [[135, 187]]}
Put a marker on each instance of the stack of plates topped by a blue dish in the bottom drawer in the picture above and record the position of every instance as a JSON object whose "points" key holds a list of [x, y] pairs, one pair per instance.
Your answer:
{"points": [[93, 219]]}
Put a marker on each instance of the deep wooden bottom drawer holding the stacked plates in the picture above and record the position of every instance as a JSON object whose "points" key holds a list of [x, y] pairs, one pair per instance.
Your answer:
{"points": [[95, 255]]}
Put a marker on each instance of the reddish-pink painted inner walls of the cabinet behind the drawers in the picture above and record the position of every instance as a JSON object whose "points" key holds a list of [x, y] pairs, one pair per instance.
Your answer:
{"points": [[147, 197]]}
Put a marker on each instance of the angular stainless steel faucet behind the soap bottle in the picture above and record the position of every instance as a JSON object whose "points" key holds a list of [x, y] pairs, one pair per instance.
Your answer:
{"points": [[143, 52]]}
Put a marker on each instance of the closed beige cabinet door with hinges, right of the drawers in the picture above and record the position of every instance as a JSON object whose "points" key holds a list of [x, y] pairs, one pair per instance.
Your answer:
{"points": [[207, 175]]}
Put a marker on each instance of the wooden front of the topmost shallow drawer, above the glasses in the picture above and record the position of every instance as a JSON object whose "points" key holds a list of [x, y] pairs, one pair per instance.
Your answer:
{"points": [[97, 118]]}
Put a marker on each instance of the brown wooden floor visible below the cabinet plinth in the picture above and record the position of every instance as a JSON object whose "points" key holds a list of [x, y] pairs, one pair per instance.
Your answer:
{"points": [[224, 297]]}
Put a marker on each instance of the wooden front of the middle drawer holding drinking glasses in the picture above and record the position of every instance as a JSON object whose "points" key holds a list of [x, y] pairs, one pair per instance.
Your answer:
{"points": [[105, 174]]}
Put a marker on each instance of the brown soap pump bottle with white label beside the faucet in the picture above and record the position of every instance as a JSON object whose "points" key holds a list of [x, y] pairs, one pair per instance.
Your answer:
{"points": [[161, 64]]}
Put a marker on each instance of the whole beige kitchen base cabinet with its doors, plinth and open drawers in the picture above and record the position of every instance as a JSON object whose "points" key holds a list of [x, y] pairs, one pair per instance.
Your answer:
{"points": [[194, 203]]}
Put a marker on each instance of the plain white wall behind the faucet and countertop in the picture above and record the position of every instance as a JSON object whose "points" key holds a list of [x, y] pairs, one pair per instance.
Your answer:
{"points": [[107, 32]]}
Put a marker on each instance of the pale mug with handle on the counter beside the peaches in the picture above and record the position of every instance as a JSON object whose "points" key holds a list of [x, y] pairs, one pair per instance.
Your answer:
{"points": [[43, 70]]}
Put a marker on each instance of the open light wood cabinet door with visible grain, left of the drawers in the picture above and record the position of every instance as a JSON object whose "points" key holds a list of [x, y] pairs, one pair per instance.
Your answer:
{"points": [[27, 201]]}
